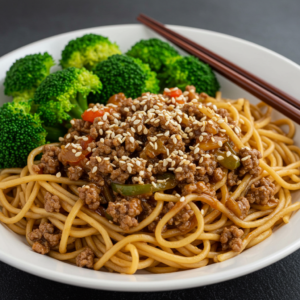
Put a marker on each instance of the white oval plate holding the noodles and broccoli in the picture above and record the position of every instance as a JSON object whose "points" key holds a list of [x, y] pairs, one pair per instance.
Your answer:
{"points": [[266, 64]]}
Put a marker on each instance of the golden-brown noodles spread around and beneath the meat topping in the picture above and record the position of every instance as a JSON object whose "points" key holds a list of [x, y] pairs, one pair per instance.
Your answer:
{"points": [[166, 249]]}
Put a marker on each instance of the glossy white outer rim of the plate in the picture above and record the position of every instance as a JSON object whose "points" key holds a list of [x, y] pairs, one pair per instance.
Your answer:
{"points": [[162, 284]]}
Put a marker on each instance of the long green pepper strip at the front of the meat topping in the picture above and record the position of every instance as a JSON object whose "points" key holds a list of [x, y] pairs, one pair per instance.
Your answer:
{"points": [[139, 189]]}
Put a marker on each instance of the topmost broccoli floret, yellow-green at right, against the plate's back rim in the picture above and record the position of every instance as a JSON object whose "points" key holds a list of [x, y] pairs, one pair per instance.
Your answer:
{"points": [[87, 51]]}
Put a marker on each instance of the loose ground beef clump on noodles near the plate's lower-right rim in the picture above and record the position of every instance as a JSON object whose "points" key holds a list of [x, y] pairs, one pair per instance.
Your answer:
{"points": [[231, 239]]}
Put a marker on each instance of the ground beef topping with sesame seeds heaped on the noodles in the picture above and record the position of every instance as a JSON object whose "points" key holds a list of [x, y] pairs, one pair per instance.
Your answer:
{"points": [[136, 141]]}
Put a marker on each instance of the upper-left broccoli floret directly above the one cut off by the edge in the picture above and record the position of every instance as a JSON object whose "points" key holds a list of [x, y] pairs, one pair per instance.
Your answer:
{"points": [[26, 74]]}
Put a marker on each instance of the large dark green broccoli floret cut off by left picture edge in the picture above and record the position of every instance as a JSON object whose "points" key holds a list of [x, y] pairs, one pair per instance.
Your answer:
{"points": [[20, 133]]}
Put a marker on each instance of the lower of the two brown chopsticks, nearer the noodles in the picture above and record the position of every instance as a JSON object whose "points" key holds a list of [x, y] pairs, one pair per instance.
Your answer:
{"points": [[258, 90]]}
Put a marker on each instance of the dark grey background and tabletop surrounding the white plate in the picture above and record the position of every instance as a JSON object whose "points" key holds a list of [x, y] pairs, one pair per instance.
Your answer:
{"points": [[274, 24]]}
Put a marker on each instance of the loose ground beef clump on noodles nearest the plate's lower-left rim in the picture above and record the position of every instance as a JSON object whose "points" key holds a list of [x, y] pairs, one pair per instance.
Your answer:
{"points": [[44, 238]]}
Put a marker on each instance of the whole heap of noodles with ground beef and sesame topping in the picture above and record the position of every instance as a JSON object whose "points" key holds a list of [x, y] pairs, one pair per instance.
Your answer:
{"points": [[162, 183]]}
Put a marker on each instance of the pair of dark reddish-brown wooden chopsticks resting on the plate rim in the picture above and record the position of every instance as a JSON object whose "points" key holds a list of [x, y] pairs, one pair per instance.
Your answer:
{"points": [[264, 91]]}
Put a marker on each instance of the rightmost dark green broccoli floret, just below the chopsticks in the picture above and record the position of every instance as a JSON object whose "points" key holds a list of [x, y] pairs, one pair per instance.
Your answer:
{"points": [[190, 71]]}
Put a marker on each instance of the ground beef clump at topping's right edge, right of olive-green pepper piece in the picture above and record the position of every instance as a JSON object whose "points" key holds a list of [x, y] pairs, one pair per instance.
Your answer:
{"points": [[251, 164]]}
